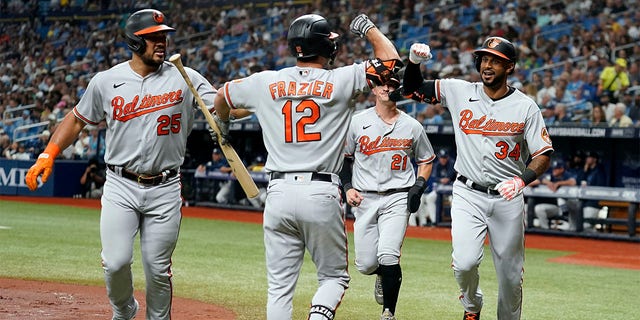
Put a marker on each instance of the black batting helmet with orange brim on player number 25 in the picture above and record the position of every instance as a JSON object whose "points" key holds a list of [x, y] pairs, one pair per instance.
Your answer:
{"points": [[143, 22]]}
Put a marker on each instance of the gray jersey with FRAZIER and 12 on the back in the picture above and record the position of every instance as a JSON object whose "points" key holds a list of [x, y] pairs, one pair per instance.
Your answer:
{"points": [[304, 113]]}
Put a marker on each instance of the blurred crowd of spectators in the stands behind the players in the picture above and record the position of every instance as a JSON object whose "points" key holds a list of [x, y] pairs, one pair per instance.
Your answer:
{"points": [[569, 53]]}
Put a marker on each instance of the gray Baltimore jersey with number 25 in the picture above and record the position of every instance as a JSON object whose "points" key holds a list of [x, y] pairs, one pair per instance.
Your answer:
{"points": [[129, 103]]}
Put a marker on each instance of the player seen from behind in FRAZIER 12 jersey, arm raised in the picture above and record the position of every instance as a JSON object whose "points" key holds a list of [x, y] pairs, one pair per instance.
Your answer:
{"points": [[304, 113]]}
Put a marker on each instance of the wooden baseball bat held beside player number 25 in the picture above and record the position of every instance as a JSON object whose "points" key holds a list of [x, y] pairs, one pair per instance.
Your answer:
{"points": [[239, 170]]}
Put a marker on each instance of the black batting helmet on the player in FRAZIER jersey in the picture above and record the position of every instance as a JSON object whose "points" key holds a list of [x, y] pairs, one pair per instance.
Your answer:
{"points": [[310, 36]]}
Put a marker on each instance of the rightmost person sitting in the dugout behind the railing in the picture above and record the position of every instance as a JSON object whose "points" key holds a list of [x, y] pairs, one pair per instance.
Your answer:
{"points": [[592, 174]]}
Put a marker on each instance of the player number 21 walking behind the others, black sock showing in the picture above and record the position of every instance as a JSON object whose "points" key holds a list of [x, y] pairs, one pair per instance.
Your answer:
{"points": [[383, 187]]}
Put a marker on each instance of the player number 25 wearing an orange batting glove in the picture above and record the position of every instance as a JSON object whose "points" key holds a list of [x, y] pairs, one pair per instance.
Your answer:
{"points": [[149, 112]]}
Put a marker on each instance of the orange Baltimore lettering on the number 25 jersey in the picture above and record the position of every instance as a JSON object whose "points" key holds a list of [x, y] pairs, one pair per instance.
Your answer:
{"points": [[125, 111]]}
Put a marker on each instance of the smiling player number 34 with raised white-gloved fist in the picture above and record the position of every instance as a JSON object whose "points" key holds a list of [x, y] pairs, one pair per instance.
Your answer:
{"points": [[498, 129]]}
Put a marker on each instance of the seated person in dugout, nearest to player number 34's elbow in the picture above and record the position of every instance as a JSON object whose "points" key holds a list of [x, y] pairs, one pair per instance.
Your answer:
{"points": [[559, 208]]}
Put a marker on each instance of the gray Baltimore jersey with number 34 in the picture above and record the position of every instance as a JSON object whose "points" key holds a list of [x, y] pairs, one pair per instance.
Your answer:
{"points": [[494, 139]]}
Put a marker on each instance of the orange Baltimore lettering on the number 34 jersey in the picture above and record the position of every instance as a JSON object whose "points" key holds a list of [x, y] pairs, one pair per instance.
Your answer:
{"points": [[488, 127]]}
